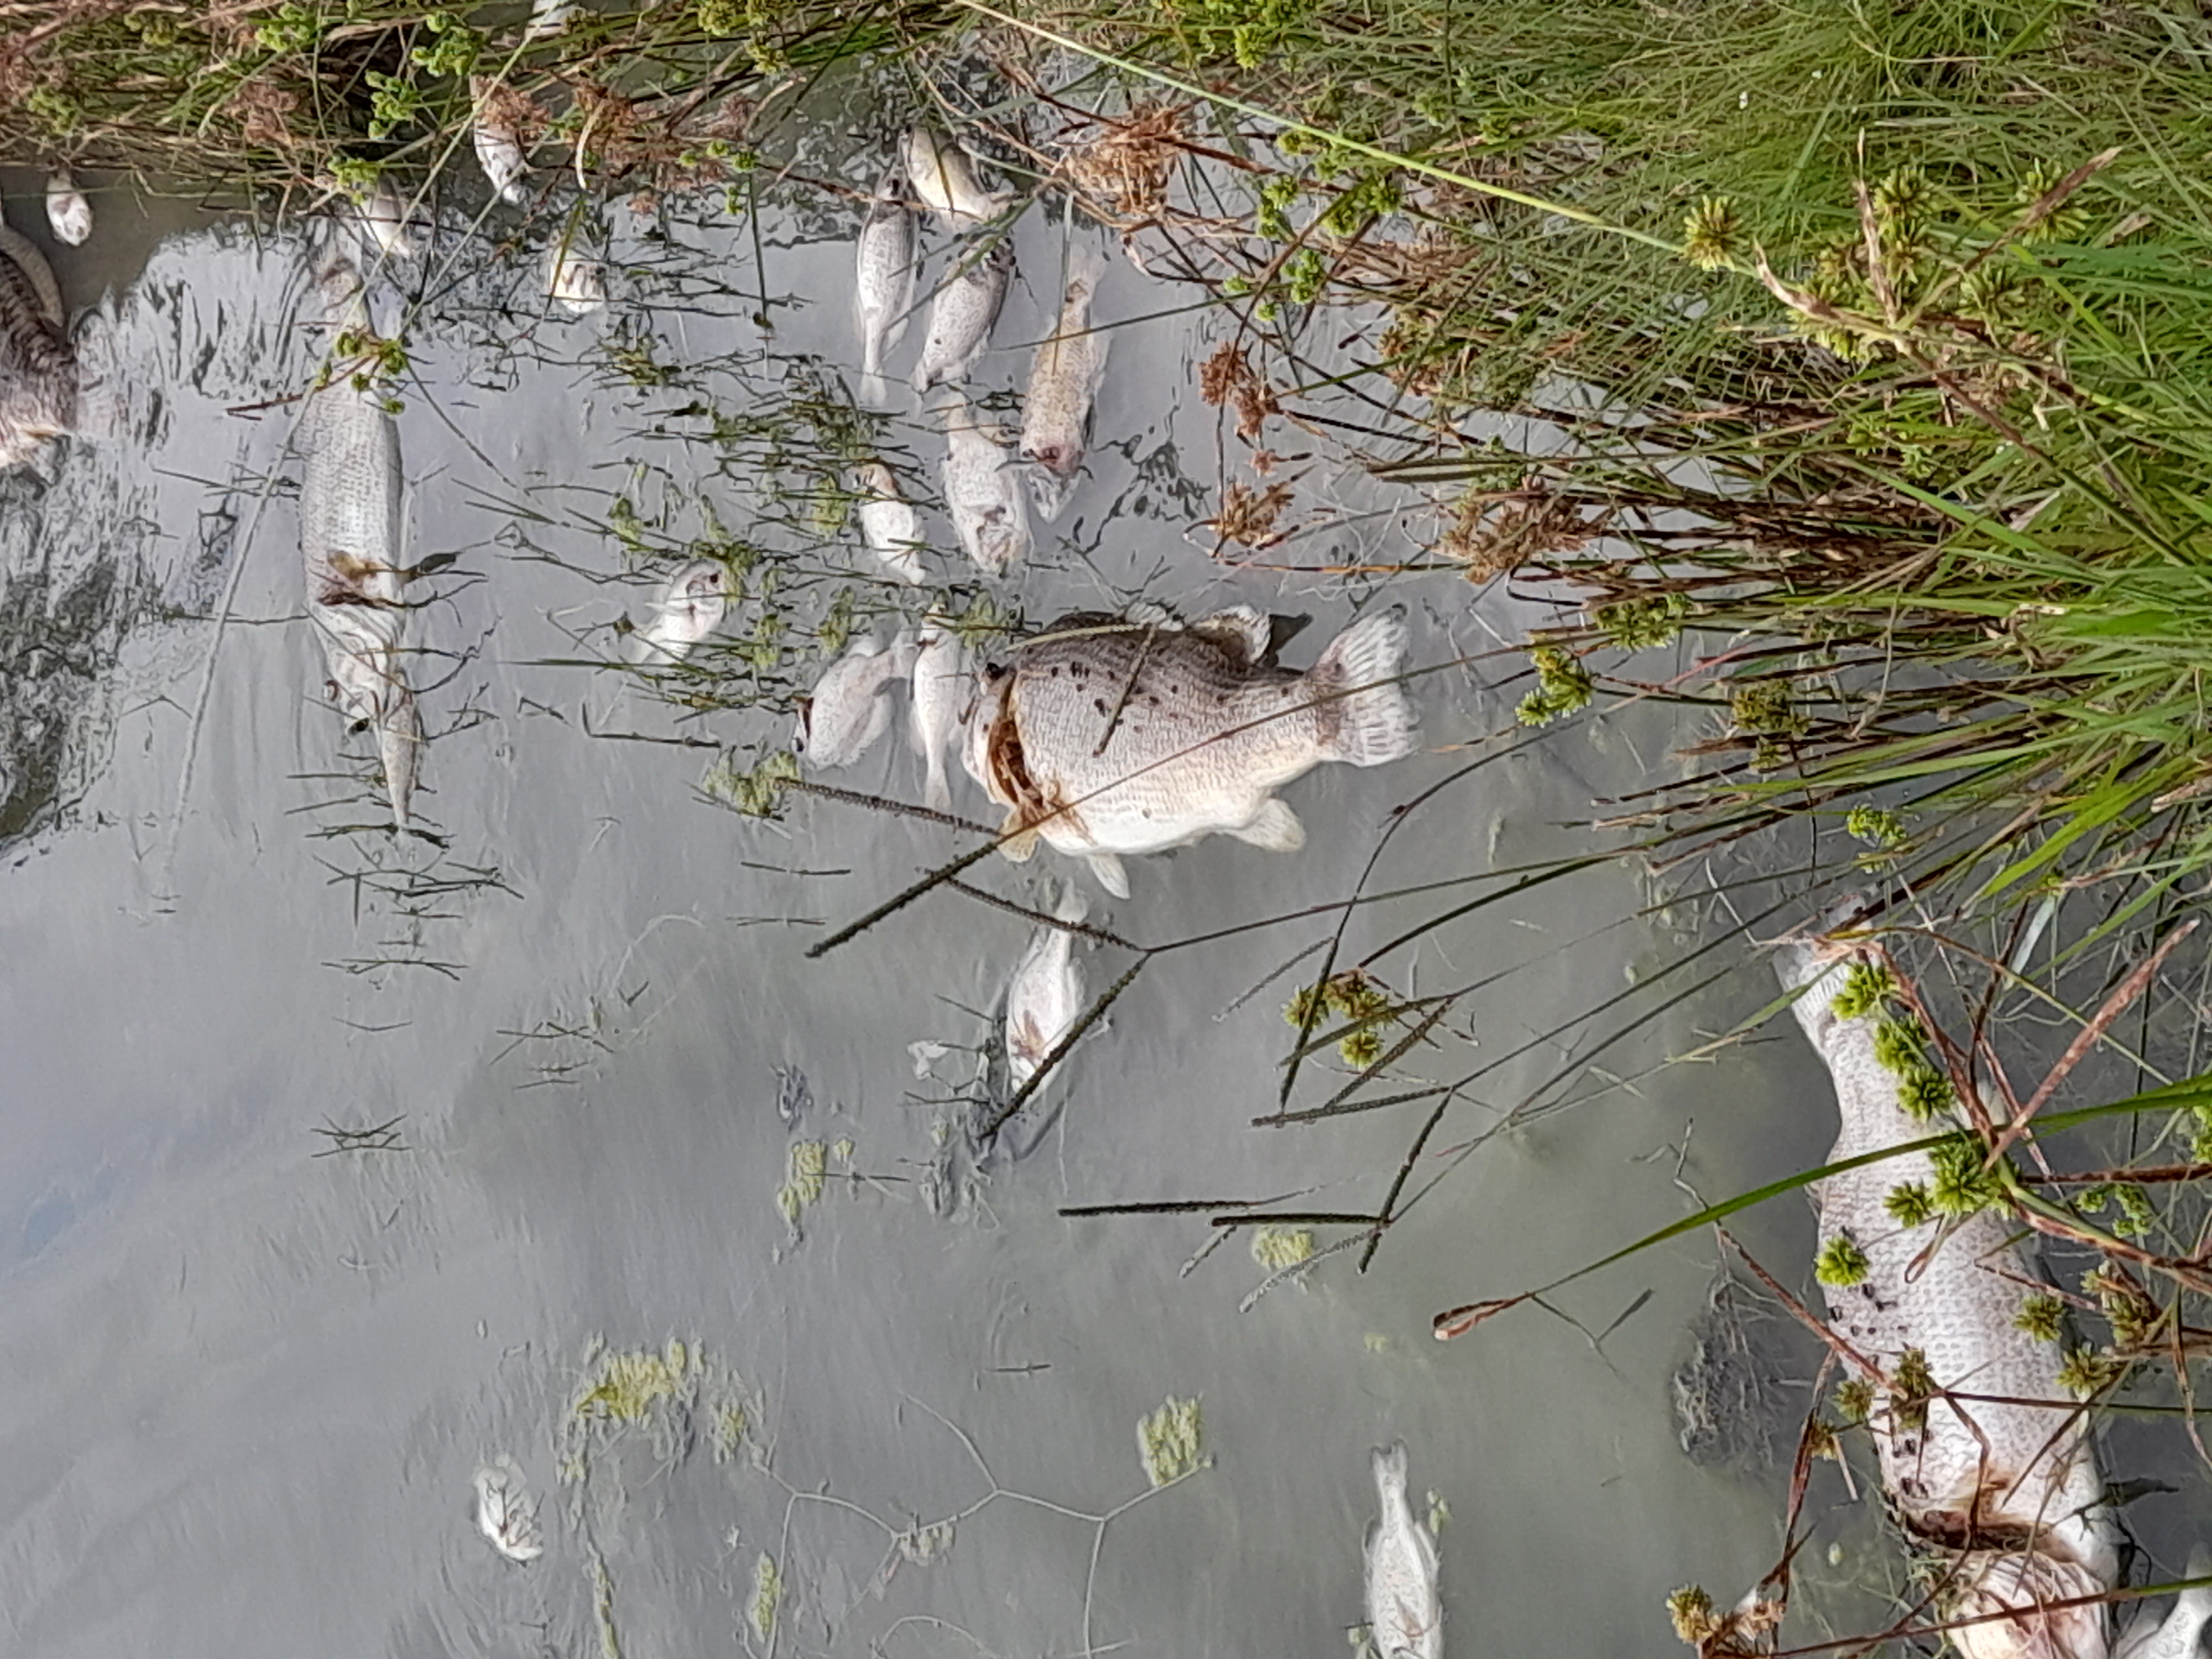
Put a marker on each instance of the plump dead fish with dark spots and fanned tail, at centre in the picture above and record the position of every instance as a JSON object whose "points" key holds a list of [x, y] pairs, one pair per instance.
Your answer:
{"points": [[1118, 738]]}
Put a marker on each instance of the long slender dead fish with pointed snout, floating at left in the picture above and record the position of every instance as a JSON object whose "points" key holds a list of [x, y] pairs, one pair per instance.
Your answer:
{"points": [[351, 541]]}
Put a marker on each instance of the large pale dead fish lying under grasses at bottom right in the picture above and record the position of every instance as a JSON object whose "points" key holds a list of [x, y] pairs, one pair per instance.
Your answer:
{"points": [[2018, 1457]]}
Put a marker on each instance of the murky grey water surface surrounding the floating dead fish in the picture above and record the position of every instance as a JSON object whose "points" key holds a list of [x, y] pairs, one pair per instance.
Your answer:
{"points": [[249, 1373]]}
